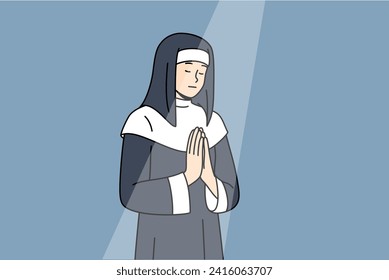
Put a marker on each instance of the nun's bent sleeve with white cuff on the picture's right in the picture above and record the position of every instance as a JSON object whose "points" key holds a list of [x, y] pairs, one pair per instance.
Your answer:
{"points": [[227, 181]]}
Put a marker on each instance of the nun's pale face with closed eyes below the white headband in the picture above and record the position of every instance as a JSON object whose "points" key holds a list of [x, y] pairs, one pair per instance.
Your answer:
{"points": [[190, 77]]}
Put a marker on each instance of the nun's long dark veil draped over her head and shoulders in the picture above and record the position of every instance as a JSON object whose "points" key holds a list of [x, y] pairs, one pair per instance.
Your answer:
{"points": [[161, 94]]}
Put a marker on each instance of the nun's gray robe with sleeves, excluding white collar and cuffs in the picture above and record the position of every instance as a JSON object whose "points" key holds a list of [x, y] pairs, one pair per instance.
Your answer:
{"points": [[144, 188]]}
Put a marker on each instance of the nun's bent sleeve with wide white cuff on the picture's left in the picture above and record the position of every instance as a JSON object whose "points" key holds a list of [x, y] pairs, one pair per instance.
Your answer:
{"points": [[140, 193]]}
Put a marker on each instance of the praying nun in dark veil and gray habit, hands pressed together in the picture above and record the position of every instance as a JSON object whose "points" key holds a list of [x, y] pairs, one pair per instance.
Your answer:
{"points": [[177, 170]]}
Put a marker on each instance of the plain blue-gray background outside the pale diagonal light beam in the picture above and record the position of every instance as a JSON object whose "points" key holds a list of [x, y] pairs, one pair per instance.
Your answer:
{"points": [[314, 161]]}
